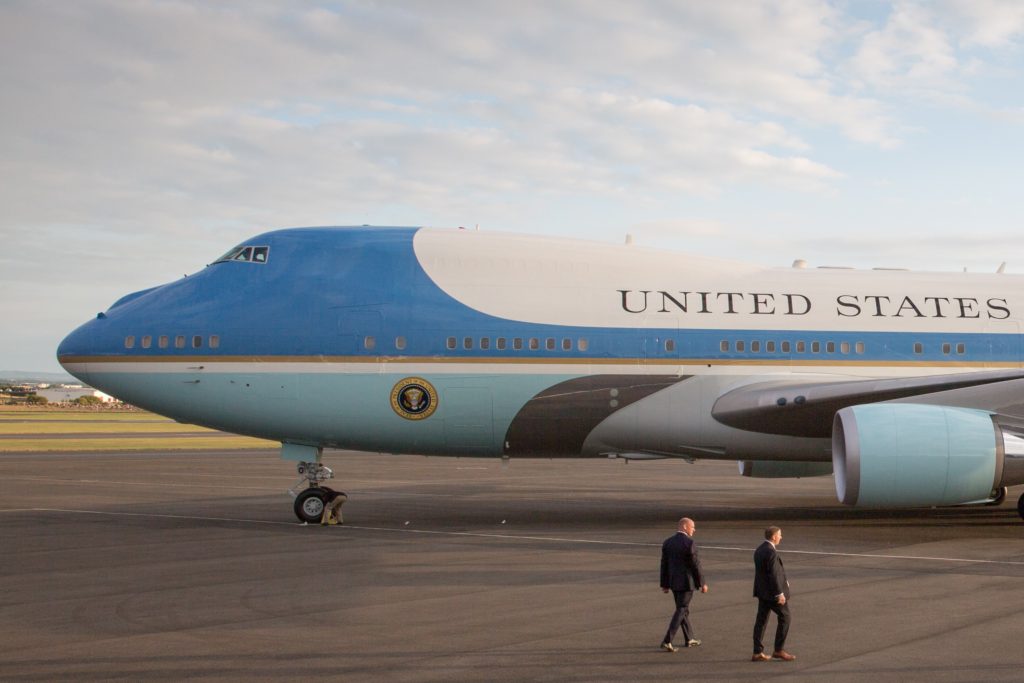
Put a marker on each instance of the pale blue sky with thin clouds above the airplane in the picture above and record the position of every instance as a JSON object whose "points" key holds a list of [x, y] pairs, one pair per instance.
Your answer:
{"points": [[141, 141]]}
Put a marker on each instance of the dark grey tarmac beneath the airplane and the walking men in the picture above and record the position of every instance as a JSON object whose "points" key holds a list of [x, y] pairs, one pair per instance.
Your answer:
{"points": [[160, 567]]}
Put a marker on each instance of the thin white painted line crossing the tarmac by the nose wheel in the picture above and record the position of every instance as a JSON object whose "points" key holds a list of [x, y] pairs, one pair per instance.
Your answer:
{"points": [[514, 537]]}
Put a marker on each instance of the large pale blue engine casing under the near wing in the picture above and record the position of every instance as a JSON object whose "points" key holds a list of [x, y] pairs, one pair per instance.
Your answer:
{"points": [[909, 455]]}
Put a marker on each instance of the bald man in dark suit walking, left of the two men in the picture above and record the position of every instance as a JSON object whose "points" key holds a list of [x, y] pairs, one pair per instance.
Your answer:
{"points": [[681, 575]]}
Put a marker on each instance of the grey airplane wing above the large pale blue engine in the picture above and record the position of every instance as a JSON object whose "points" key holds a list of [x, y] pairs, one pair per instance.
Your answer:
{"points": [[807, 409]]}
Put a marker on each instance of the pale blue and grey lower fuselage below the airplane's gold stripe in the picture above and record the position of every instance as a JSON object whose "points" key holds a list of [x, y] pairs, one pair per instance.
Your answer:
{"points": [[522, 415]]}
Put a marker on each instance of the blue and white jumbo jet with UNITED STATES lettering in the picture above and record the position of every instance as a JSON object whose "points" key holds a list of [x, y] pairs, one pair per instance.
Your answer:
{"points": [[908, 388]]}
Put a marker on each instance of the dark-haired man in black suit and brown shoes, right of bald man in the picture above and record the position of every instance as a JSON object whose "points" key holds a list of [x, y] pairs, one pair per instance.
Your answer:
{"points": [[773, 591]]}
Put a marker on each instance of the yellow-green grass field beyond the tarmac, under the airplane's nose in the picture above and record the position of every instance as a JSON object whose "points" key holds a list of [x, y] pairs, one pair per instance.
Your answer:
{"points": [[26, 430]]}
